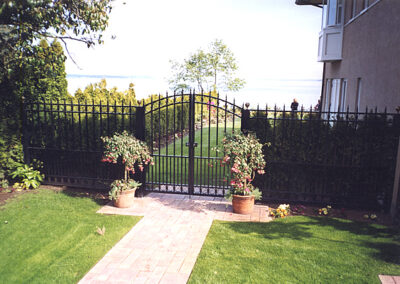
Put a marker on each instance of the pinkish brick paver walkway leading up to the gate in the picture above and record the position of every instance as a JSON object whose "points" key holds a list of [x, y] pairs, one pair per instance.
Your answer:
{"points": [[163, 246]]}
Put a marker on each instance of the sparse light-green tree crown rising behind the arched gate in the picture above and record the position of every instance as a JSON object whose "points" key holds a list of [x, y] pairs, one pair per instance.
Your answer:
{"points": [[203, 70]]}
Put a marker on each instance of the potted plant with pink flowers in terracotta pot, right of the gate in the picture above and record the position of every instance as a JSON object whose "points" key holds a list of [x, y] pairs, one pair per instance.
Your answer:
{"points": [[245, 158]]}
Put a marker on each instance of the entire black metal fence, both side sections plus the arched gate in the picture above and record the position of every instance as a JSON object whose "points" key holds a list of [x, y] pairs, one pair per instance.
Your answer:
{"points": [[342, 158]]}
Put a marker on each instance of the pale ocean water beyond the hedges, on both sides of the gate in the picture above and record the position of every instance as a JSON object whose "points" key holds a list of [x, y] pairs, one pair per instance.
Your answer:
{"points": [[259, 91]]}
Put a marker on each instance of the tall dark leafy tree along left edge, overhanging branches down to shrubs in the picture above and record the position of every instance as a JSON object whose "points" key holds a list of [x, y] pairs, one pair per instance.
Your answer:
{"points": [[23, 23]]}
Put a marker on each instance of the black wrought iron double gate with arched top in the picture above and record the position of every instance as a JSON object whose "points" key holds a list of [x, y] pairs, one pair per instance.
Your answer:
{"points": [[184, 132]]}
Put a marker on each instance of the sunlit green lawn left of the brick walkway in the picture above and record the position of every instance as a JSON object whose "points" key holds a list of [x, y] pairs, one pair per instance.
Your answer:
{"points": [[51, 237]]}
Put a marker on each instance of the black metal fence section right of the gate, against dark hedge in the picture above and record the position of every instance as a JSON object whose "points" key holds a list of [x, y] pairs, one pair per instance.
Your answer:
{"points": [[343, 158]]}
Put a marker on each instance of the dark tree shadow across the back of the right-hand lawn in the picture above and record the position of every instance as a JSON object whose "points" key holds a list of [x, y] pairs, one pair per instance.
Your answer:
{"points": [[386, 247]]}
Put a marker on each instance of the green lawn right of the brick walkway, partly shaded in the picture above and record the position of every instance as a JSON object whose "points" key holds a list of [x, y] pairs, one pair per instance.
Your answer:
{"points": [[297, 250]]}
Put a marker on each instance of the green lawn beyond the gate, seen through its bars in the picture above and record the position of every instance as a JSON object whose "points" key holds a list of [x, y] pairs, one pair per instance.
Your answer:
{"points": [[173, 169]]}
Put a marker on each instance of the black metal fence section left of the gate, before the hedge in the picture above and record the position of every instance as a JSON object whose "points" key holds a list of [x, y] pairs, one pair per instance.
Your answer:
{"points": [[65, 136]]}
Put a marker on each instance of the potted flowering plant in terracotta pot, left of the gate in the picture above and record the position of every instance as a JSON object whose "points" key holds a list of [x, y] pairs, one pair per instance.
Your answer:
{"points": [[130, 151]]}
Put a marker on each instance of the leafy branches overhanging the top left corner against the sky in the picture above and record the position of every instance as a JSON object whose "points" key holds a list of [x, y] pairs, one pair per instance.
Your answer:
{"points": [[22, 22]]}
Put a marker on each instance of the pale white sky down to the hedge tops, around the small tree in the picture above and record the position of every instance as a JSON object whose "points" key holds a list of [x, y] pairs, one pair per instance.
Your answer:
{"points": [[271, 40]]}
